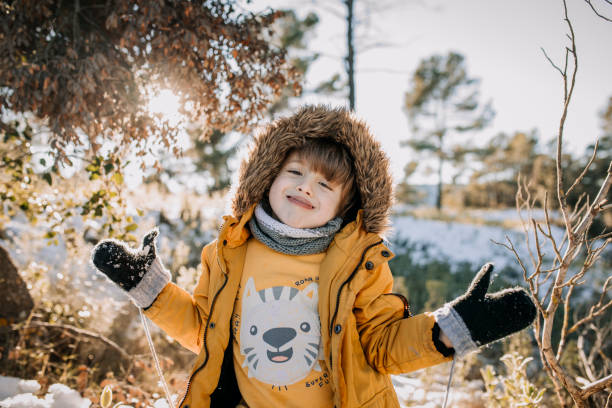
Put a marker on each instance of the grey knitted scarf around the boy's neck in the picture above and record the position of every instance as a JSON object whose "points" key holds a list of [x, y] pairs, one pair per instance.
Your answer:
{"points": [[288, 240]]}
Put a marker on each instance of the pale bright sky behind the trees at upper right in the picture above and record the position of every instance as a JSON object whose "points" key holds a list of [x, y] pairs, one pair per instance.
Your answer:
{"points": [[502, 43]]}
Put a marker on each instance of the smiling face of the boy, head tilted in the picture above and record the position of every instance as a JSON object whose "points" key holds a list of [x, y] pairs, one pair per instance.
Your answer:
{"points": [[303, 198]]}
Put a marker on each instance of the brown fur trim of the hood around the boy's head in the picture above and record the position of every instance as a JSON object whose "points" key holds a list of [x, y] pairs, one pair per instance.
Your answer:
{"points": [[270, 148]]}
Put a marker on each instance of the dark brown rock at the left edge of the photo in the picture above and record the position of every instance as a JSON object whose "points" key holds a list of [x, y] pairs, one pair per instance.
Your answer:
{"points": [[16, 300]]}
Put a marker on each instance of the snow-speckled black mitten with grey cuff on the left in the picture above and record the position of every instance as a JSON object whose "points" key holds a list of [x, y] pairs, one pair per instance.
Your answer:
{"points": [[139, 272]]}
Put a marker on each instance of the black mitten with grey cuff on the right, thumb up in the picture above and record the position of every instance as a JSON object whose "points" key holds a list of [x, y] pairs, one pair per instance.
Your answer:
{"points": [[477, 318]]}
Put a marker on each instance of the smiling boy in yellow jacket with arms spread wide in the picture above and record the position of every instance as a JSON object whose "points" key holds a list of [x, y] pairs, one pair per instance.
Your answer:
{"points": [[294, 305]]}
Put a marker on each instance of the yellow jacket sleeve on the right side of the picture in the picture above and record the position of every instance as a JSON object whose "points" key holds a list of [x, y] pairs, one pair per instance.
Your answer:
{"points": [[391, 343]]}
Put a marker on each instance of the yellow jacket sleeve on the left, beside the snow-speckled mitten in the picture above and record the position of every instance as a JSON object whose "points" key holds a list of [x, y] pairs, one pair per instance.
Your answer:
{"points": [[181, 315]]}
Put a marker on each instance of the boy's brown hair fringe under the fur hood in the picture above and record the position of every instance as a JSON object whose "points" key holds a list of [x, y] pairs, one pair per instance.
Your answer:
{"points": [[333, 161]]}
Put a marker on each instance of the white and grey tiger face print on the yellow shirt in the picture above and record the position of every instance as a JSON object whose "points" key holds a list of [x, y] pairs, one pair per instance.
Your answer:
{"points": [[280, 333]]}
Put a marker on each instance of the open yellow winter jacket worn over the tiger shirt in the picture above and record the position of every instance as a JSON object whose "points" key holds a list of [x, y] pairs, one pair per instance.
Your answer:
{"points": [[366, 330]]}
